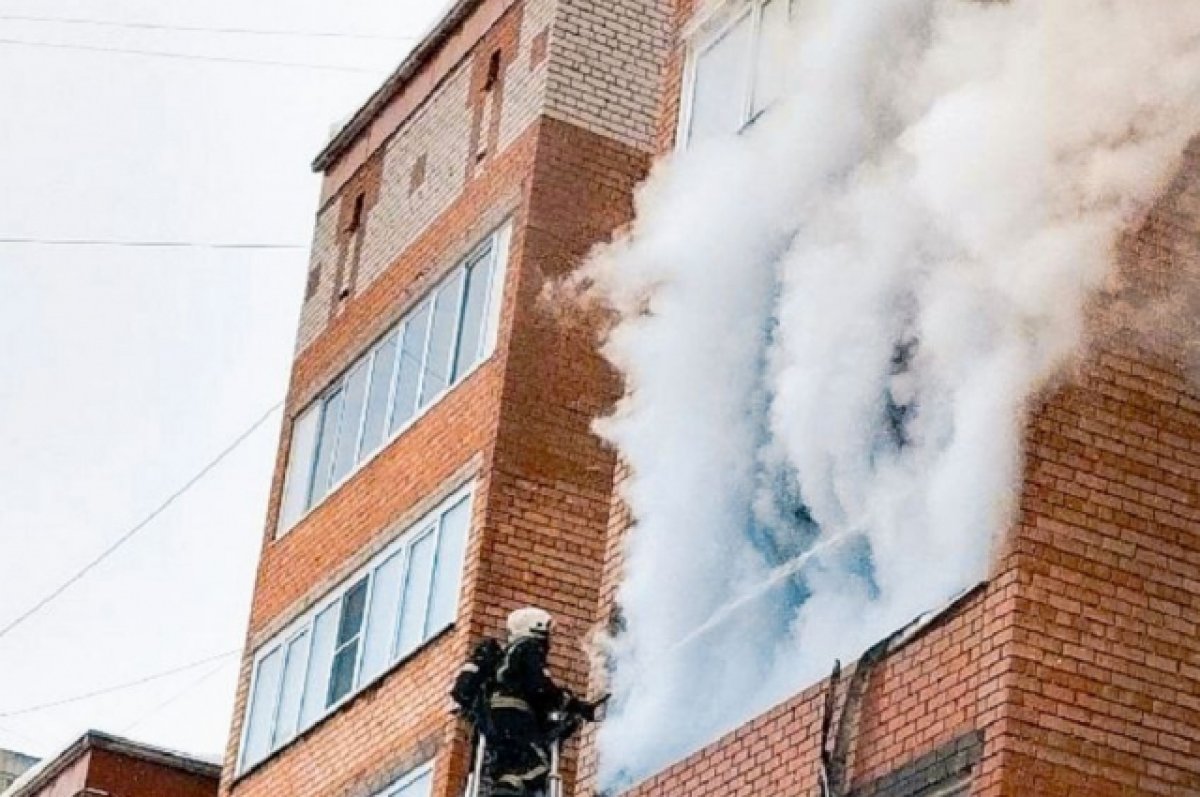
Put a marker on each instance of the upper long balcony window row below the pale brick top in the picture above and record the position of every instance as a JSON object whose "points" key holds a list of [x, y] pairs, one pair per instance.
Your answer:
{"points": [[427, 355]]}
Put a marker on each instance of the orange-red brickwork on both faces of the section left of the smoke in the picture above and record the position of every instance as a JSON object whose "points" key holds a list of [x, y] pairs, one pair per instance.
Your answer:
{"points": [[523, 422]]}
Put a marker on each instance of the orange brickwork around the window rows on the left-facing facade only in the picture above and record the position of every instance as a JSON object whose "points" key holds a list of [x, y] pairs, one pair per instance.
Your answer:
{"points": [[401, 721]]}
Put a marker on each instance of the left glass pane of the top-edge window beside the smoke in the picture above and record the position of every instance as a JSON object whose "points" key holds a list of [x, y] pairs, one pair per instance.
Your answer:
{"points": [[721, 82]]}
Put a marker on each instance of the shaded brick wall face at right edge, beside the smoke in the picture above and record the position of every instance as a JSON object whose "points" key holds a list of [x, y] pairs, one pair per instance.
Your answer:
{"points": [[1107, 669]]}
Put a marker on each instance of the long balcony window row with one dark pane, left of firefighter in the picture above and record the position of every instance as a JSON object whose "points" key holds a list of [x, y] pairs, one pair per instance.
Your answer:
{"points": [[401, 600]]}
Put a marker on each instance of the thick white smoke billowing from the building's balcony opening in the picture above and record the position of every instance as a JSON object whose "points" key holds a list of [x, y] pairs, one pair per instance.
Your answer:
{"points": [[831, 326]]}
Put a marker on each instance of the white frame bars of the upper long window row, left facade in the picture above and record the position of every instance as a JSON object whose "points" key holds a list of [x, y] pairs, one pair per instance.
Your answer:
{"points": [[496, 247]]}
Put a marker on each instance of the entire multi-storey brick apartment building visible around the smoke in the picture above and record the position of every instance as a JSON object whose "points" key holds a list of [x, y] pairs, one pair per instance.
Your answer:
{"points": [[439, 438]]}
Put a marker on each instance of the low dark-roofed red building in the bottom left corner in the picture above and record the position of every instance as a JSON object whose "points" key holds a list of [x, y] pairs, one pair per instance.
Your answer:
{"points": [[100, 765]]}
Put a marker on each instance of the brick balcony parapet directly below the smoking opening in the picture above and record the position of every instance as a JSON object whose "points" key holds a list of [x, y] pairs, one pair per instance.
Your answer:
{"points": [[933, 691]]}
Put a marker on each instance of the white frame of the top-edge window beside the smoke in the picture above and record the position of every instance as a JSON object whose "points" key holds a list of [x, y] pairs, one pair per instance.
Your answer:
{"points": [[706, 32]]}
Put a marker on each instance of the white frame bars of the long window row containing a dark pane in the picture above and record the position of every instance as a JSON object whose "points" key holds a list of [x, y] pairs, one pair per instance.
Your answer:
{"points": [[431, 523]]}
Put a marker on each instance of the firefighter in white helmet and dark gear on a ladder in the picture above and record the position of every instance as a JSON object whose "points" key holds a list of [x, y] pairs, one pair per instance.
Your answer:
{"points": [[526, 711]]}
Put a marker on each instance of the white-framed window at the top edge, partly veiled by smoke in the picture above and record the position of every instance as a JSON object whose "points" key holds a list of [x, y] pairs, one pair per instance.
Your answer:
{"points": [[735, 69]]}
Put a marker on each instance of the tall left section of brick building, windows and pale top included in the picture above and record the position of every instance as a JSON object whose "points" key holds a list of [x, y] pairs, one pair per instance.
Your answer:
{"points": [[440, 410]]}
